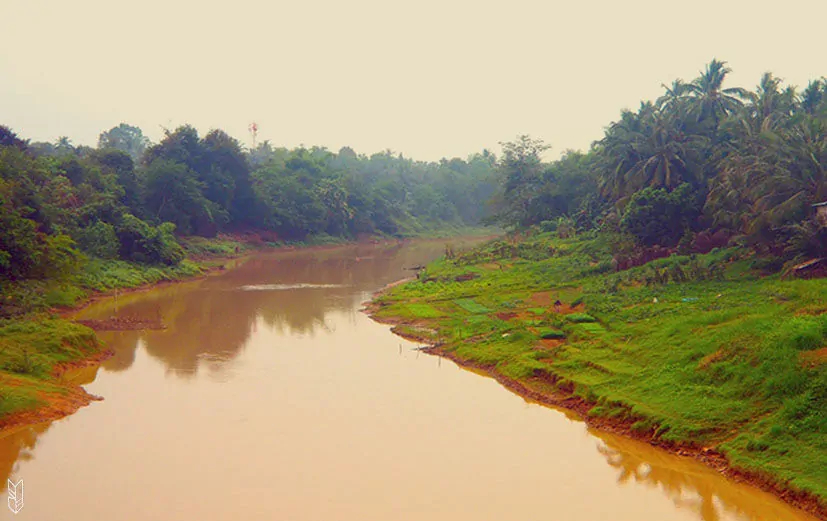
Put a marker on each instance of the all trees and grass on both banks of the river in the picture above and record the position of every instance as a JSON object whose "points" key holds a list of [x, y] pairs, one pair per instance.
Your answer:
{"points": [[653, 275]]}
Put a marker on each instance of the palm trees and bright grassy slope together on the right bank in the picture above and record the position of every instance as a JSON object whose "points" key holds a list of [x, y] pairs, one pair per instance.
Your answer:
{"points": [[658, 276]]}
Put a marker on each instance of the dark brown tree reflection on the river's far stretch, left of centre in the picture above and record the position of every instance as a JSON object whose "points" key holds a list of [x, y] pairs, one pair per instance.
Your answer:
{"points": [[292, 292]]}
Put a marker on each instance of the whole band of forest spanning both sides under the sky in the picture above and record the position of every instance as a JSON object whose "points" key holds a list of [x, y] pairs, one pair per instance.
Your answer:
{"points": [[703, 166]]}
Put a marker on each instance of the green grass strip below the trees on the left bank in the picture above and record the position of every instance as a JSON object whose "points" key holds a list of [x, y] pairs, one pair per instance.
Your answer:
{"points": [[33, 342]]}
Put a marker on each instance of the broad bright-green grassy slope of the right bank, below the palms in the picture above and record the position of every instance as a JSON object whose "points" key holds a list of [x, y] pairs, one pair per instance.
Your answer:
{"points": [[702, 354]]}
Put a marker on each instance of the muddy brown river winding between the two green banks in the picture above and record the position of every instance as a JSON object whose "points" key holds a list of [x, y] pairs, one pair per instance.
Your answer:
{"points": [[270, 396]]}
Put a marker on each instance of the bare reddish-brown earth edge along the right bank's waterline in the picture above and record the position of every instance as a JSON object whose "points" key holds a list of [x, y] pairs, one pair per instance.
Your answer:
{"points": [[545, 391]]}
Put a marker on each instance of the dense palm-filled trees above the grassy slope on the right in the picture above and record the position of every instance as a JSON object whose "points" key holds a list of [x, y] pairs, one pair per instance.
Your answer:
{"points": [[703, 159]]}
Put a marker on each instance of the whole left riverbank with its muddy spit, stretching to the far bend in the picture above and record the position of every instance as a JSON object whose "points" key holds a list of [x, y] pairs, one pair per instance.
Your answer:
{"points": [[41, 342]]}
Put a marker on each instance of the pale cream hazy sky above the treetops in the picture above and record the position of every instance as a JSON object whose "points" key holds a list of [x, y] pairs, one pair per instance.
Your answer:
{"points": [[425, 78]]}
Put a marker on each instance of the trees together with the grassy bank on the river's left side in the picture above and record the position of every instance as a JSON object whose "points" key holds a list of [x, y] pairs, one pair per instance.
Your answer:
{"points": [[128, 213]]}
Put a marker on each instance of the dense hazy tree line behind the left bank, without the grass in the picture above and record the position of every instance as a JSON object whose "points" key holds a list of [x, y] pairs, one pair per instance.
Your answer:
{"points": [[129, 199]]}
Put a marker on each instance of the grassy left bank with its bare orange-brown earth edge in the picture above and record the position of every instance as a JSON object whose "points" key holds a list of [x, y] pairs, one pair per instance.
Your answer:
{"points": [[37, 345]]}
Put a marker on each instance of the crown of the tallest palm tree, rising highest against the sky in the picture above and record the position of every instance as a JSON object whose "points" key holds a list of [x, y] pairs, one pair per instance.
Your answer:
{"points": [[710, 99]]}
